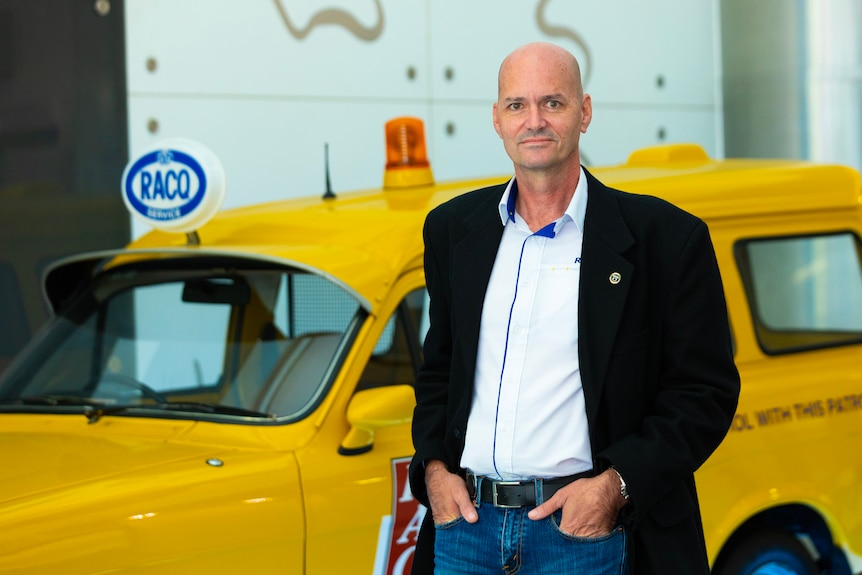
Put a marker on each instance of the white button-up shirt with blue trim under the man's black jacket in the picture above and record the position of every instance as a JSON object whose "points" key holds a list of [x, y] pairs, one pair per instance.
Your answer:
{"points": [[528, 417]]}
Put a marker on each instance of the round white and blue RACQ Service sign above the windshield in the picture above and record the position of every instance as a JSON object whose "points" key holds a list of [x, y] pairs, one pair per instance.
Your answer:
{"points": [[176, 186]]}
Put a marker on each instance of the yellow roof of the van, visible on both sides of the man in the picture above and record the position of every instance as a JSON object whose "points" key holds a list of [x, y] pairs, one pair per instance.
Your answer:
{"points": [[365, 239]]}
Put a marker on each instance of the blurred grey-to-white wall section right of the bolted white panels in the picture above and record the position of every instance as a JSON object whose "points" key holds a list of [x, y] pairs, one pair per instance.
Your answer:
{"points": [[793, 79]]}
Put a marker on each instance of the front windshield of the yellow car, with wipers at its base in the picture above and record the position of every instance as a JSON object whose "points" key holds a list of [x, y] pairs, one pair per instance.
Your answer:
{"points": [[258, 344]]}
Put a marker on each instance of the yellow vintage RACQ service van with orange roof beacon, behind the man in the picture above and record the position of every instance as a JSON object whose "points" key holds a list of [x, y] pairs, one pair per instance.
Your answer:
{"points": [[233, 393]]}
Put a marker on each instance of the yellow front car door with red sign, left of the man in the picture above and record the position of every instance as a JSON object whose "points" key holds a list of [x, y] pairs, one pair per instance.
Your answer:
{"points": [[361, 515]]}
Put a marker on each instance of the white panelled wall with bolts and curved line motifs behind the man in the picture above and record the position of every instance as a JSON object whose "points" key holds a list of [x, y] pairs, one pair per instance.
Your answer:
{"points": [[266, 97]]}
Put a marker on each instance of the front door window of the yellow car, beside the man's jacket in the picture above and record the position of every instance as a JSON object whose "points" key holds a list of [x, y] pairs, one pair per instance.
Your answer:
{"points": [[398, 352]]}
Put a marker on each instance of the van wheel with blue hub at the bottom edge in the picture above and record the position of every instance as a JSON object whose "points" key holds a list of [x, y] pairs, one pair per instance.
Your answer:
{"points": [[772, 552]]}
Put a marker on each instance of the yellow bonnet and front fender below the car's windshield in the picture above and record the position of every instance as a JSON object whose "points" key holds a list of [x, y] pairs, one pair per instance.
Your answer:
{"points": [[138, 495]]}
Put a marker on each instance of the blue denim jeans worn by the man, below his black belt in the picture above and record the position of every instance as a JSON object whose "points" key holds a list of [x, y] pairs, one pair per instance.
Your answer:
{"points": [[507, 541]]}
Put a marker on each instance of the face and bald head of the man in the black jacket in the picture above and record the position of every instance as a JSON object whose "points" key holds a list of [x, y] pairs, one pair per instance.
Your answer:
{"points": [[539, 112]]}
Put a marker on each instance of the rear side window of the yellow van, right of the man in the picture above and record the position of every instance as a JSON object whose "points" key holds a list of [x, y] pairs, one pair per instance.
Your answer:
{"points": [[804, 292]]}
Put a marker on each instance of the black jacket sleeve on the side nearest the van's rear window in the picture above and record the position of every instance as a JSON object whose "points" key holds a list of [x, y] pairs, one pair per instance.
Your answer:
{"points": [[697, 387]]}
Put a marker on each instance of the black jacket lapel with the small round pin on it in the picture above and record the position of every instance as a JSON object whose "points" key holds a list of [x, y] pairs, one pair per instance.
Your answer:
{"points": [[604, 284]]}
